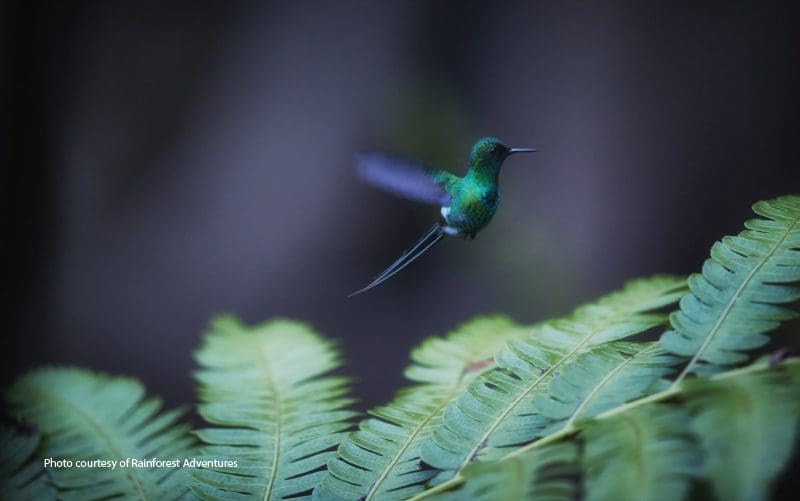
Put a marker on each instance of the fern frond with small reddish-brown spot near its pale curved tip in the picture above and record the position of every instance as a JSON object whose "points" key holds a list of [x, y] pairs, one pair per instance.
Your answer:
{"points": [[381, 459]]}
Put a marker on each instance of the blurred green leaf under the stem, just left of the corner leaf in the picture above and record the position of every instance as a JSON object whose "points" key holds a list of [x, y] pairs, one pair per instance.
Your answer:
{"points": [[646, 453]]}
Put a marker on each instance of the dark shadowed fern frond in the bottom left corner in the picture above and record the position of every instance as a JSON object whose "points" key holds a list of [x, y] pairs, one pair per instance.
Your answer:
{"points": [[22, 474]]}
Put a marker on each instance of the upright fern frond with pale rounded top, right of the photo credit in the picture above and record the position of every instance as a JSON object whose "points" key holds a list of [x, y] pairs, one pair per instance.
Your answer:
{"points": [[275, 410]]}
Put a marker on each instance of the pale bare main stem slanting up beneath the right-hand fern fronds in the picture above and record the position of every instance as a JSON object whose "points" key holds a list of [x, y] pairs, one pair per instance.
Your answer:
{"points": [[670, 392]]}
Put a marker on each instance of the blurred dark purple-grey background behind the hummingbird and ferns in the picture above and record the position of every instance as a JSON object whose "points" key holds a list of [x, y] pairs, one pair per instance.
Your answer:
{"points": [[170, 161]]}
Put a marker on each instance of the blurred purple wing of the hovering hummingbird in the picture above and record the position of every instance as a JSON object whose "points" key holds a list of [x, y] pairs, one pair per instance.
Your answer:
{"points": [[403, 177]]}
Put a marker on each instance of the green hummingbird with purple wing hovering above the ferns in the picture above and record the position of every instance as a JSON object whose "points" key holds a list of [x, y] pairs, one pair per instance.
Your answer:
{"points": [[467, 204]]}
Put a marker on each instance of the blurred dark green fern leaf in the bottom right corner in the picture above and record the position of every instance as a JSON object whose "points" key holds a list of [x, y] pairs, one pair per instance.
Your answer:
{"points": [[747, 427]]}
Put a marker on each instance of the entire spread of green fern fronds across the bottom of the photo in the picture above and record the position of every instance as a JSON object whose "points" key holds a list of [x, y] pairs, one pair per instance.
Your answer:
{"points": [[587, 406]]}
